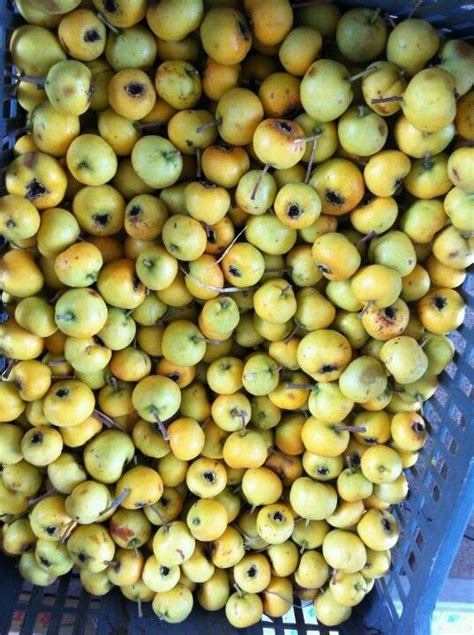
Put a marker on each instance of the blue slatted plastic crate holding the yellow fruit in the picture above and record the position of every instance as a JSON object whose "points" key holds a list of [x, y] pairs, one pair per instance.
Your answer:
{"points": [[433, 518]]}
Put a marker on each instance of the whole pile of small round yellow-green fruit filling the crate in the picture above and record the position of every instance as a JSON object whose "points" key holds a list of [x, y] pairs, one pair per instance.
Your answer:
{"points": [[233, 236]]}
